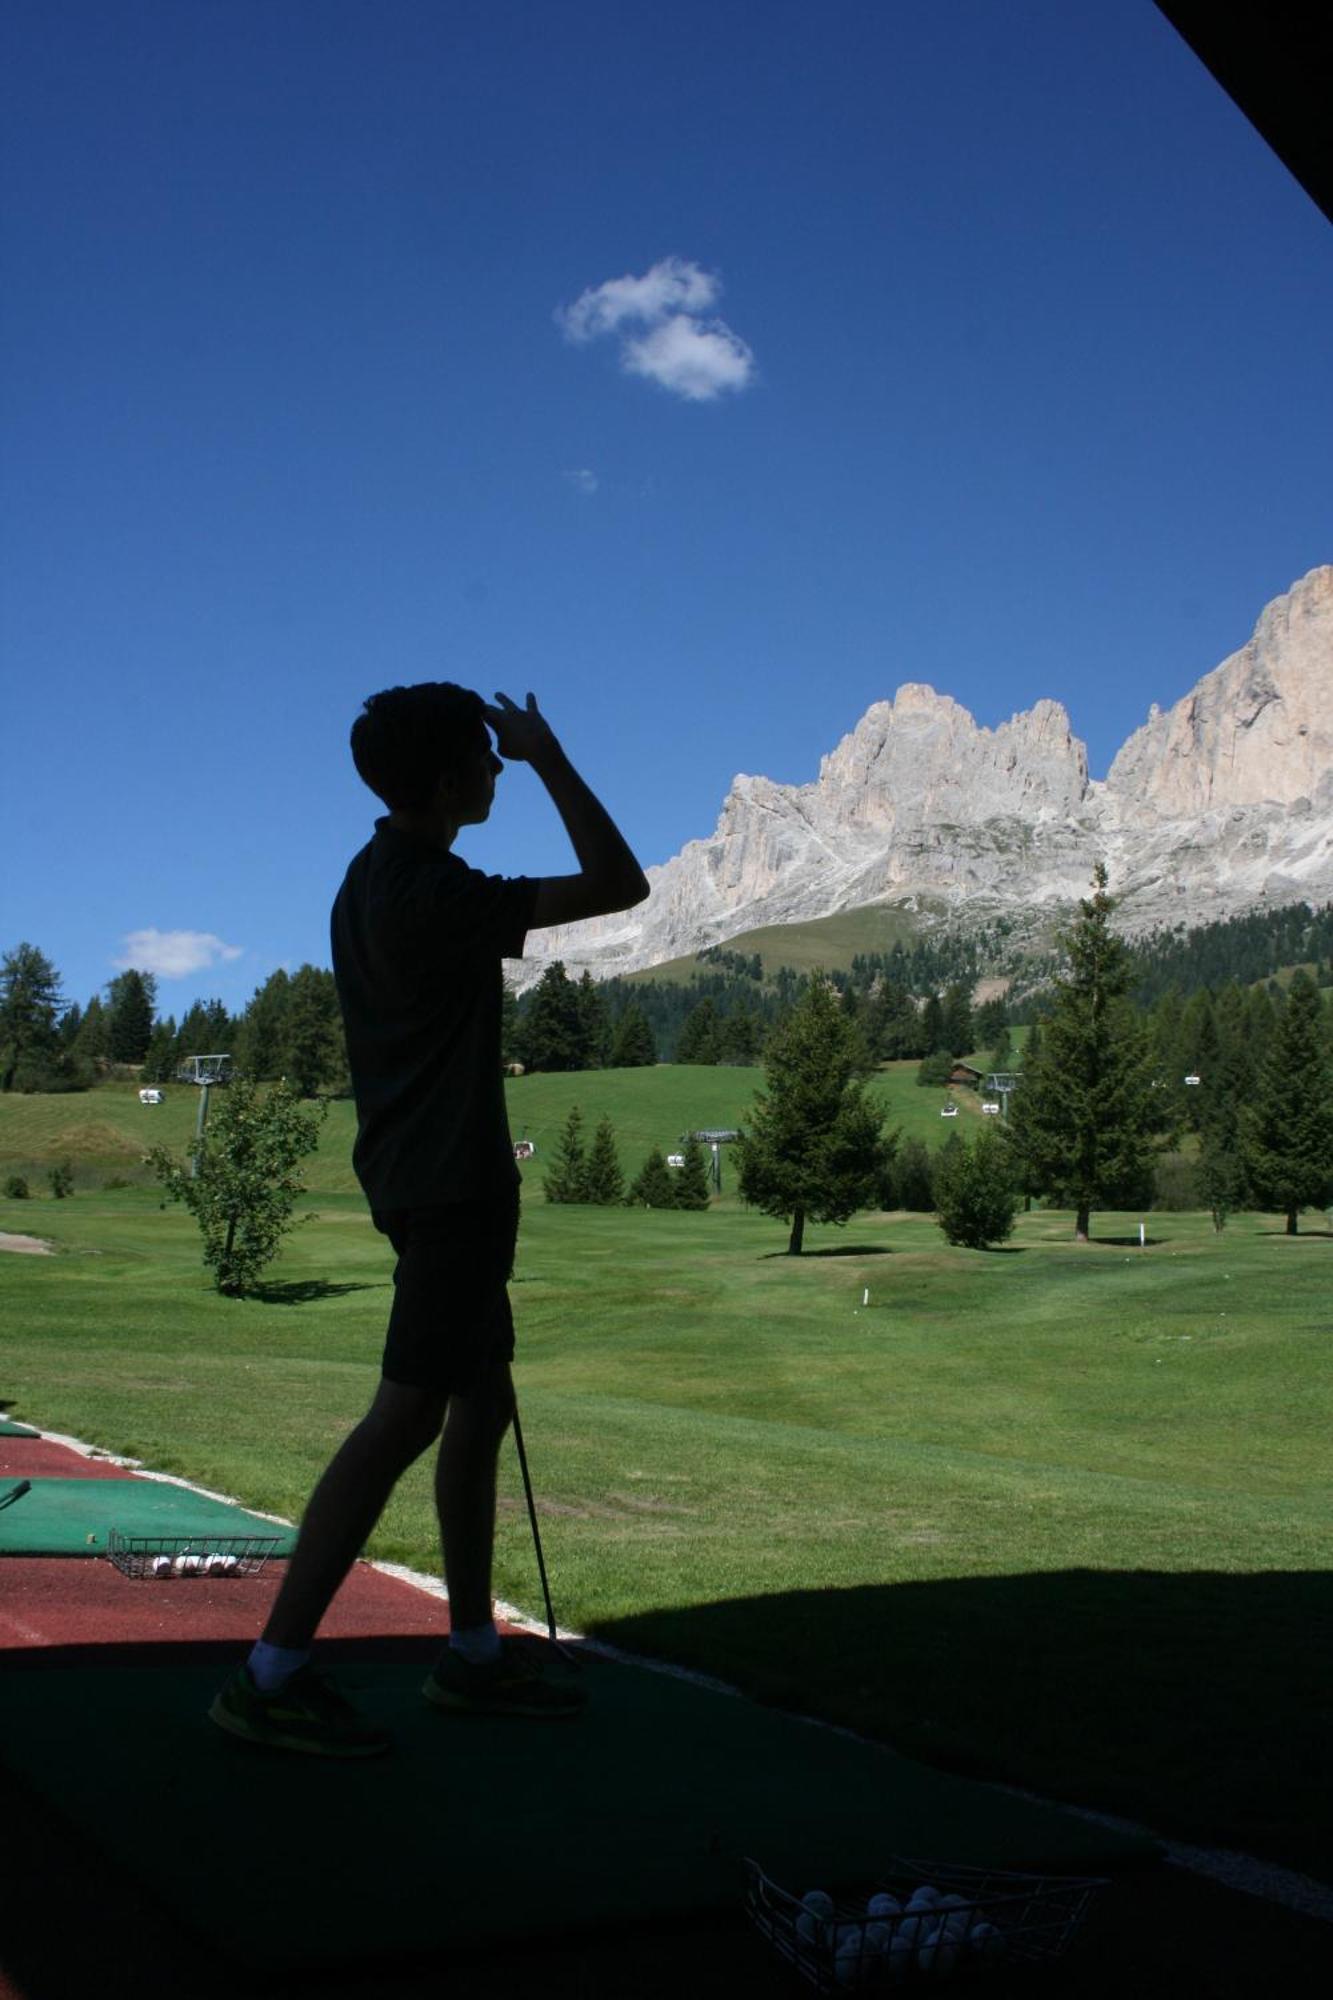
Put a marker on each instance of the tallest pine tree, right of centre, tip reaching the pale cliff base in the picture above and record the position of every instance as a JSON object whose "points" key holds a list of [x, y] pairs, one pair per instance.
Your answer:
{"points": [[1086, 1123]]}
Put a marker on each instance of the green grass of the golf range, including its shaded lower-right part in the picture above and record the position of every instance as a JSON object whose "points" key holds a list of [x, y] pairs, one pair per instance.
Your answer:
{"points": [[1058, 1513]]}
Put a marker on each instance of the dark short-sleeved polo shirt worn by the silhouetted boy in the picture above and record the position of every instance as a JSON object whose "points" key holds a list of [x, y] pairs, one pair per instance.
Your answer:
{"points": [[417, 947]]}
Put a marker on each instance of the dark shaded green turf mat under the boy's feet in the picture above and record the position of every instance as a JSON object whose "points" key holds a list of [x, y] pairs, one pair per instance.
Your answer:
{"points": [[495, 1829]]}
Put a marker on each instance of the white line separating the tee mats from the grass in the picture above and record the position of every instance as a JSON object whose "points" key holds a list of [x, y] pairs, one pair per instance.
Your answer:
{"points": [[1244, 1873]]}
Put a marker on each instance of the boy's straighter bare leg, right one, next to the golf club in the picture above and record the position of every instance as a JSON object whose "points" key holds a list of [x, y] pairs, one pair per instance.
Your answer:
{"points": [[465, 1493]]}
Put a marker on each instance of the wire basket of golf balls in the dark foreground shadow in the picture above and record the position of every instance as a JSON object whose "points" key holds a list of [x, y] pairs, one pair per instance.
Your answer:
{"points": [[920, 1923]]}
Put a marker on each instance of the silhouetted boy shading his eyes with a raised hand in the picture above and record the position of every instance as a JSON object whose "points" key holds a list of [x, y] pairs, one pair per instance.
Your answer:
{"points": [[417, 947]]}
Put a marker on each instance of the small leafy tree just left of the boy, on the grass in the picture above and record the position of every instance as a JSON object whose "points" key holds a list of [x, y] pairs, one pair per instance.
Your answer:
{"points": [[245, 1185]]}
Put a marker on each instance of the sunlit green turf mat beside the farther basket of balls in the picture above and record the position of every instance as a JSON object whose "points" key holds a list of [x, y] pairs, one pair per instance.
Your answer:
{"points": [[75, 1517]]}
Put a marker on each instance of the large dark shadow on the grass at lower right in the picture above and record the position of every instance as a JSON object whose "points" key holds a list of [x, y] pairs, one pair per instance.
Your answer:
{"points": [[1190, 1703]]}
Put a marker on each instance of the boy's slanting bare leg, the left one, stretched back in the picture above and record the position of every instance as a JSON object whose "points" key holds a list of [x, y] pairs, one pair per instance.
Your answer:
{"points": [[347, 1503]]}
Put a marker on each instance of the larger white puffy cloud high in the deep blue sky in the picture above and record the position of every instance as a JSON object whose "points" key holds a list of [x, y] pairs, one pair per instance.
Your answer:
{"points": [[661, 329]]}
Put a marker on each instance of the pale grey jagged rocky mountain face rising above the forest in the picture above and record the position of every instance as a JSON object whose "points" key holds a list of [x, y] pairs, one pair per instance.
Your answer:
{"points": [[1212, 807]]}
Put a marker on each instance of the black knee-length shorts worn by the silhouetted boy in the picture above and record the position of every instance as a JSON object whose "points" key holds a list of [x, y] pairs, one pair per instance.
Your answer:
{"points": [[451, 1319]]}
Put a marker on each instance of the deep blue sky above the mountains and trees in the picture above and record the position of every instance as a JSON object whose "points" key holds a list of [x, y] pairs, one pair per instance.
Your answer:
{"points": [[962, 343]]}
